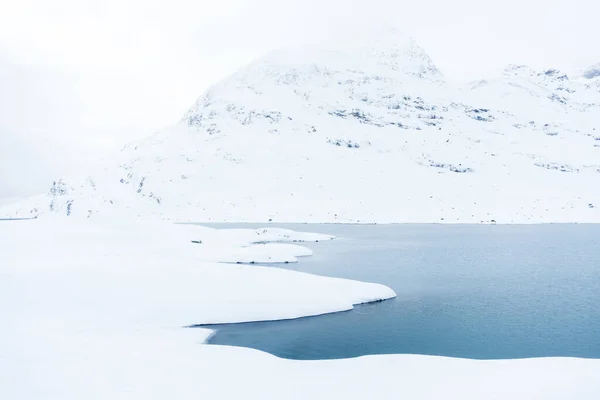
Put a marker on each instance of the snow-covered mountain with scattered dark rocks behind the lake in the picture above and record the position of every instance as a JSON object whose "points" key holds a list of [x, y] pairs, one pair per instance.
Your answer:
{"points": [[368, 131]]}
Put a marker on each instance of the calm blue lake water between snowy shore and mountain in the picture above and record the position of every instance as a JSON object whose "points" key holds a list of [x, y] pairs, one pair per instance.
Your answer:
{"points": [[483, 292]]}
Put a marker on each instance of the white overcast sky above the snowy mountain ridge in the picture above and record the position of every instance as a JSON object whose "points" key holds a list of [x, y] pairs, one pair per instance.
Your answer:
{"points": [[78, 79]]}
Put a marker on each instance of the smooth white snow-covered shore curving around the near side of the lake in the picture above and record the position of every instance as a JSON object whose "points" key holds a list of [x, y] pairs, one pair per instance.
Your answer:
{"points": [[96, 311]]}
